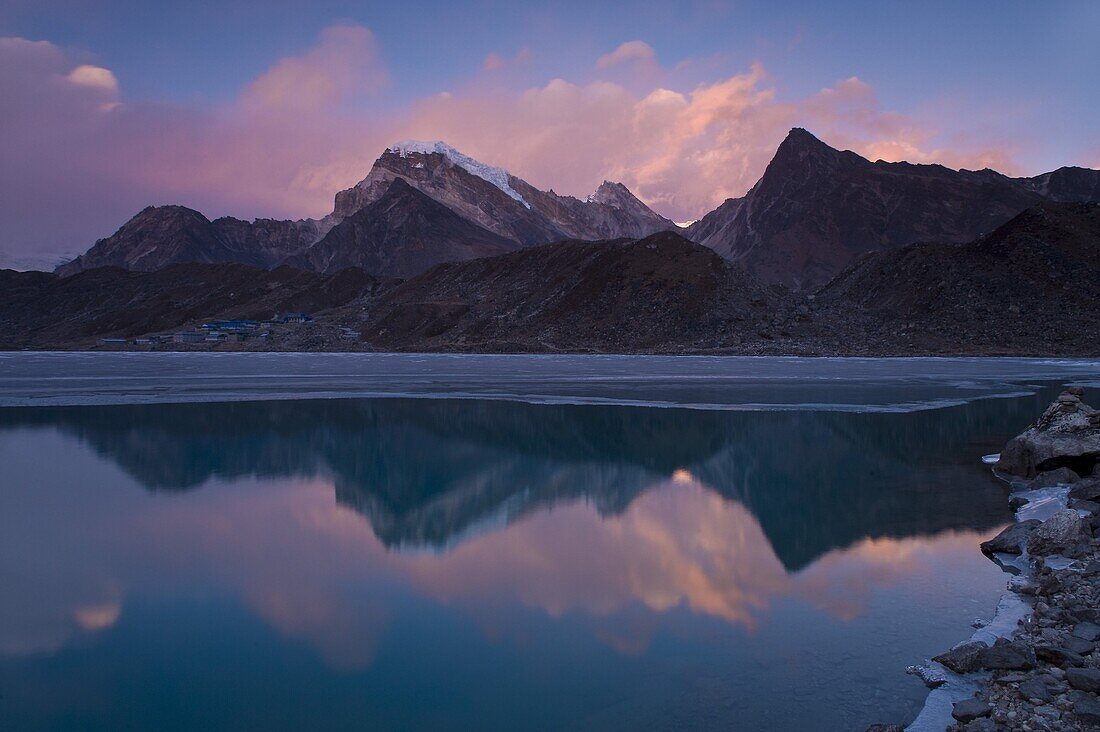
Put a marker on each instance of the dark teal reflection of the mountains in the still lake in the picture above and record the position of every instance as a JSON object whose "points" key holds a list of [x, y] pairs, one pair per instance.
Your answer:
{"points": [[426, 474]]}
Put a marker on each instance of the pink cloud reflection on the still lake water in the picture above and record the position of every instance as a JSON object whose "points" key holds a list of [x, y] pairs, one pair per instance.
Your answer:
{"points": [[316, 572]]}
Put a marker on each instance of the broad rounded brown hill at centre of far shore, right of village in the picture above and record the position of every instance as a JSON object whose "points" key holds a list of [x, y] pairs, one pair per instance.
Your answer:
{"points": [[662, 292]]}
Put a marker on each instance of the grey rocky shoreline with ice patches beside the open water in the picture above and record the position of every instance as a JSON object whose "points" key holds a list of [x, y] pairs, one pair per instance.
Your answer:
{"points": [[1037, 667]]}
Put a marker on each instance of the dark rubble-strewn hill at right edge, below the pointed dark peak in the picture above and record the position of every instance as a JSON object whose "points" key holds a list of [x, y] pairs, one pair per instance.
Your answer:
{"points": [[1032, 286]]}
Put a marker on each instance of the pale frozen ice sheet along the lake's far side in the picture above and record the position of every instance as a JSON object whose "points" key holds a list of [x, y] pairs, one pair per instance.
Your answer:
{"points": [[698, 383]]}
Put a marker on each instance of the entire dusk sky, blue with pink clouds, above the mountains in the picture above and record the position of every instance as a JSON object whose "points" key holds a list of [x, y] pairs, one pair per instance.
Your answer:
{"points": [[267, 108]]}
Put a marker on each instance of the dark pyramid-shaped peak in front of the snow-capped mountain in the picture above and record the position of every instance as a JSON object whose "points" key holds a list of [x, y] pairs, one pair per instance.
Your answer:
{"points": [[402, 234]]}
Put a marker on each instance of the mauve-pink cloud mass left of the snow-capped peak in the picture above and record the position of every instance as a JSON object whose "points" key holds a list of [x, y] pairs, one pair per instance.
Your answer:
{"points": [[71, 139]]}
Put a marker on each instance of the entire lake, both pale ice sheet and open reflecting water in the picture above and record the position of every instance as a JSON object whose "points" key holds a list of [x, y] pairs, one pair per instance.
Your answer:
{"points": [[399, 542]]}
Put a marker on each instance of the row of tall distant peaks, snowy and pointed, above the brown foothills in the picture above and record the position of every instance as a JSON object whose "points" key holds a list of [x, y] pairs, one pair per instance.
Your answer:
{"points": [[813, 213]]}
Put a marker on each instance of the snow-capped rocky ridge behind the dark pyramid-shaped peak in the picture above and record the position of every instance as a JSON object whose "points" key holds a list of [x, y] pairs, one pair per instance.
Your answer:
{"points": [[500, 202]]}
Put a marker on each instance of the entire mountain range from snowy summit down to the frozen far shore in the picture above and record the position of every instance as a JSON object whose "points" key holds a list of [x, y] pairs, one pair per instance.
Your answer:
{"points": [[829, 254]]}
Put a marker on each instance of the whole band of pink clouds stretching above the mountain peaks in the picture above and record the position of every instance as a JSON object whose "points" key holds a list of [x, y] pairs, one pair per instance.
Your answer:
{"points": [[307, 128]]}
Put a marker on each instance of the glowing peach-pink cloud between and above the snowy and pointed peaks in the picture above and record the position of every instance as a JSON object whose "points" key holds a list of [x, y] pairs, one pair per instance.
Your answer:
{"points": [[683, 152]]}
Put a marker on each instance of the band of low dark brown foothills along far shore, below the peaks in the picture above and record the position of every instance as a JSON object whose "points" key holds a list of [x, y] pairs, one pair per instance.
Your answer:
{"points": [[1031, 287]]}
